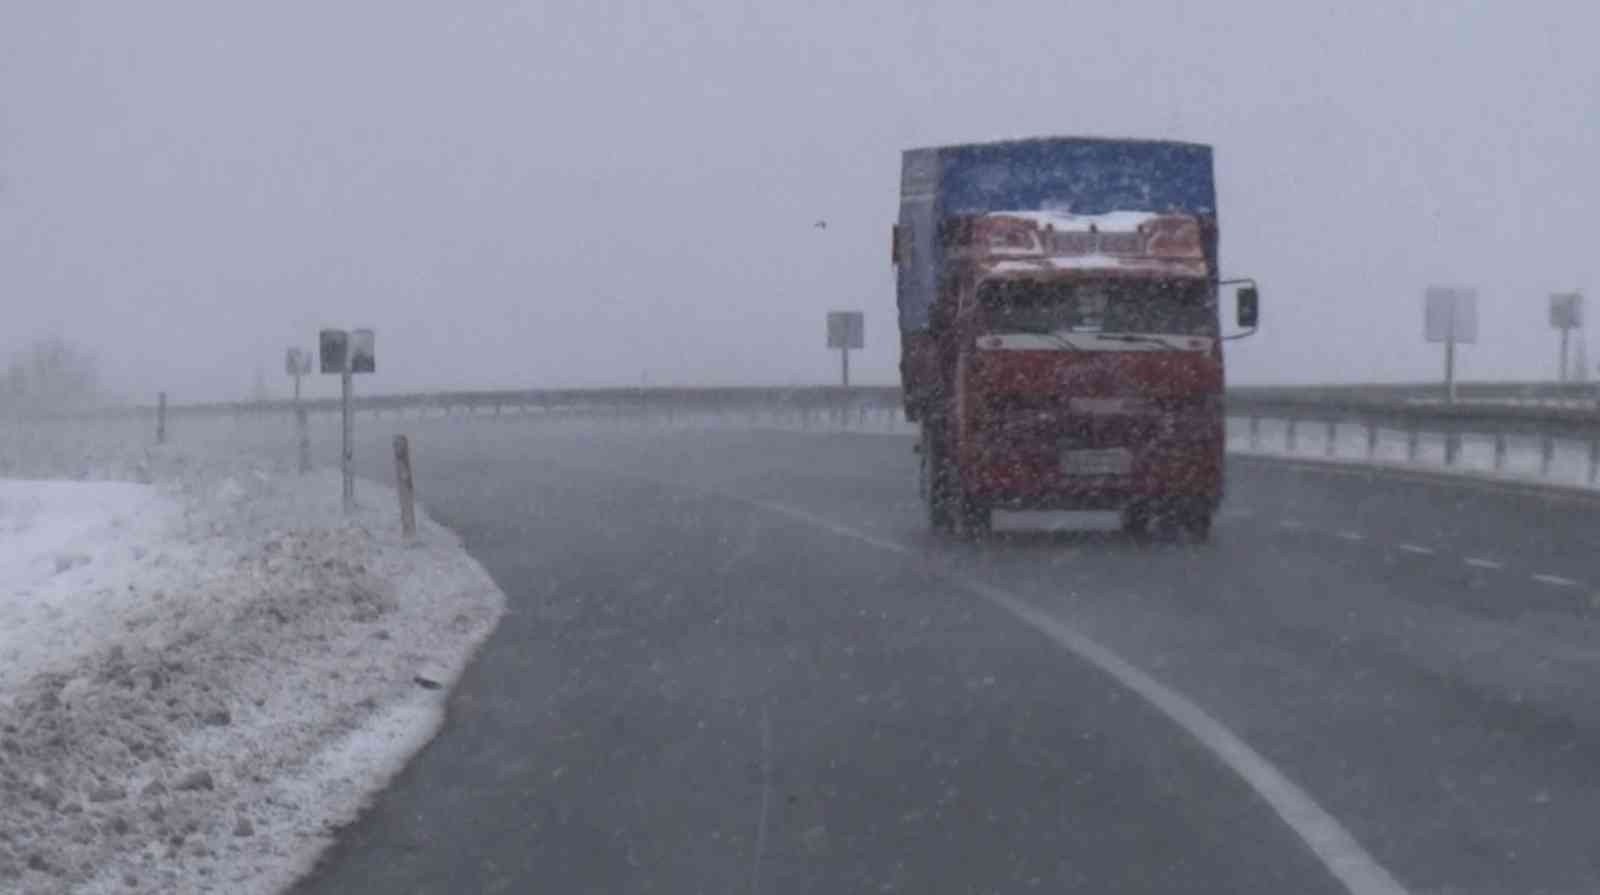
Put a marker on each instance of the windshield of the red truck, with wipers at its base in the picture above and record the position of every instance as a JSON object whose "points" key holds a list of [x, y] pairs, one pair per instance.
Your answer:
{"points": [[1114, 307]]}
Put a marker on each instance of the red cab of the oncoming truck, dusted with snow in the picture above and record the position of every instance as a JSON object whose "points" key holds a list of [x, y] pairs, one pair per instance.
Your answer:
{"points": [[1081, 364]]}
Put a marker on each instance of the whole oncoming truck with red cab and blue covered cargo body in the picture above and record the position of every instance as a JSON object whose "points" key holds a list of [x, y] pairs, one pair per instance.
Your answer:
{"points": [[1060, 335]]}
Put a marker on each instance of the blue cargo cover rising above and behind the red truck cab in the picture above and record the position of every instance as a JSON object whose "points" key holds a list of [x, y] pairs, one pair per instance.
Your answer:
{"points": [[1078, 175]]}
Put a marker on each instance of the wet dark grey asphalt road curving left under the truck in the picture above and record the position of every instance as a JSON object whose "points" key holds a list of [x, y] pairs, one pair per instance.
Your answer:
{"points": [[735, 662]]}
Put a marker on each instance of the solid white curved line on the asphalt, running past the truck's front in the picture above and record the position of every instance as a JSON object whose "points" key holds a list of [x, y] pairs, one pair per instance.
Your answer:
{"points": [[1326, 837]]}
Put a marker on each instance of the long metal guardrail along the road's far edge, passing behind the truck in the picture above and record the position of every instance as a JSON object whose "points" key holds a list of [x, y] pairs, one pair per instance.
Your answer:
{"points": [[1495, 428]]}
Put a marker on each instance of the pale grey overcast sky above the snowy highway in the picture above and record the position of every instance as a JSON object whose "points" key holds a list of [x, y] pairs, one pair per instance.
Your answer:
{"points": [[610, 193]]}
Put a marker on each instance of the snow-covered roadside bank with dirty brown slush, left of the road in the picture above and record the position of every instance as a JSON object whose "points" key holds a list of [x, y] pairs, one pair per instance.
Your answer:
{"points": [[201, 680]]}
